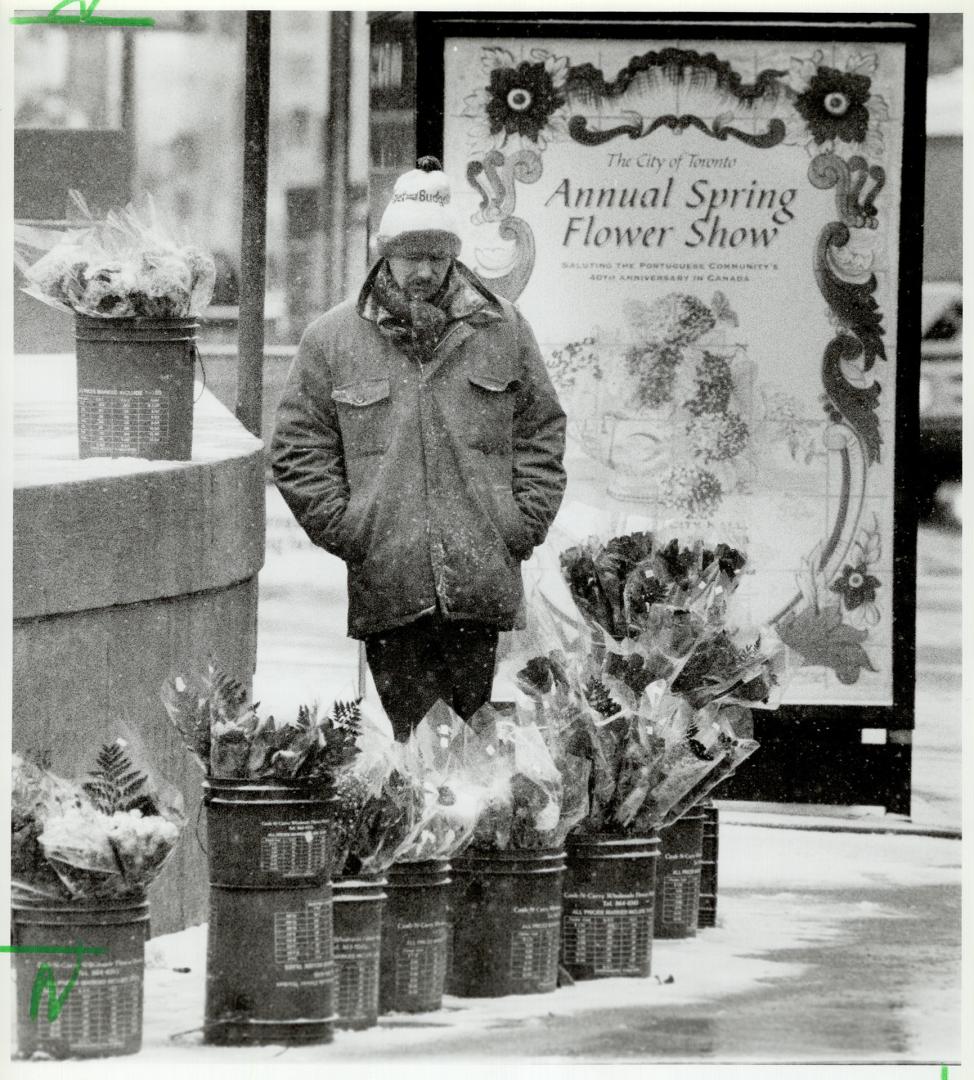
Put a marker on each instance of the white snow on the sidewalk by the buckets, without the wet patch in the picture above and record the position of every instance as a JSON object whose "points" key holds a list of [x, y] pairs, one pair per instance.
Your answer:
{"points": [[782, 893]]}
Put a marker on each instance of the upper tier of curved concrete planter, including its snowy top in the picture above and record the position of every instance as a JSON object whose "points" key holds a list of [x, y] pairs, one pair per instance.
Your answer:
{"points": [[101, 532]]}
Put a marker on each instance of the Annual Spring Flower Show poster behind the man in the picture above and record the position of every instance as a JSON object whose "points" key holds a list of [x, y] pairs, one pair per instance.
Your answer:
{"points": [[705, 237]]}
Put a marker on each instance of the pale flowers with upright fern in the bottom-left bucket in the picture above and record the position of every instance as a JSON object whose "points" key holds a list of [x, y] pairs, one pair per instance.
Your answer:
{"points": [[104, 839]]}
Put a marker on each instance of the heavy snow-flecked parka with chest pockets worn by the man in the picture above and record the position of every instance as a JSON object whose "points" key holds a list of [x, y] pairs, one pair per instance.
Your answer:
{"points": [[434, 480]]}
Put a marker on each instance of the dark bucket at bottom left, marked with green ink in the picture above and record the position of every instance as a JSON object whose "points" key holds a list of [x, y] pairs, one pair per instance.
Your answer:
{"points": [[102, 1017]]}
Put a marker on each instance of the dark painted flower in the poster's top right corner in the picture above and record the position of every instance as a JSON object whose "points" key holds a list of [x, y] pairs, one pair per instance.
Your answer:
{"points": [[840, 106]]}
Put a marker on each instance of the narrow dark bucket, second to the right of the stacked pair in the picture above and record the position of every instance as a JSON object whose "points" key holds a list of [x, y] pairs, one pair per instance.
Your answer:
{"points": [[415, 930]]}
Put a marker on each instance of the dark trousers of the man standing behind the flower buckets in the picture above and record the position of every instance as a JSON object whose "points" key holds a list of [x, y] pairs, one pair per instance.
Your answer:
{"points": [[431, 658]]}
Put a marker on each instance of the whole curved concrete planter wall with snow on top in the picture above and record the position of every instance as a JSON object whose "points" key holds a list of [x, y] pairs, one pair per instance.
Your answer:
{"points": [[126, 572]]}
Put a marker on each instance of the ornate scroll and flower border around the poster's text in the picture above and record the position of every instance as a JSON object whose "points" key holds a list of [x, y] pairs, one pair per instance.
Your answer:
{"points": [[837, 116]]}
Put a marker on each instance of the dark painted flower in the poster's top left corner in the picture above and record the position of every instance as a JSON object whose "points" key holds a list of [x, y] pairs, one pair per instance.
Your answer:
{"points": [[525, 100]]}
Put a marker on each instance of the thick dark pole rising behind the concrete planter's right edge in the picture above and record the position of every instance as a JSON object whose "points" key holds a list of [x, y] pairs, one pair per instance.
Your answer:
{"points": [[253, 241]]}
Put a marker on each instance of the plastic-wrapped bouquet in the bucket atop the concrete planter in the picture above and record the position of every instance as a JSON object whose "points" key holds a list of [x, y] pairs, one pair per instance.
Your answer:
{"points": [[123, 266]]}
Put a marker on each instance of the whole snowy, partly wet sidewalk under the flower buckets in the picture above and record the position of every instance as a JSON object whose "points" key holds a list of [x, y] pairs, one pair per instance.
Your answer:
{"points": [[828, 949]]}
